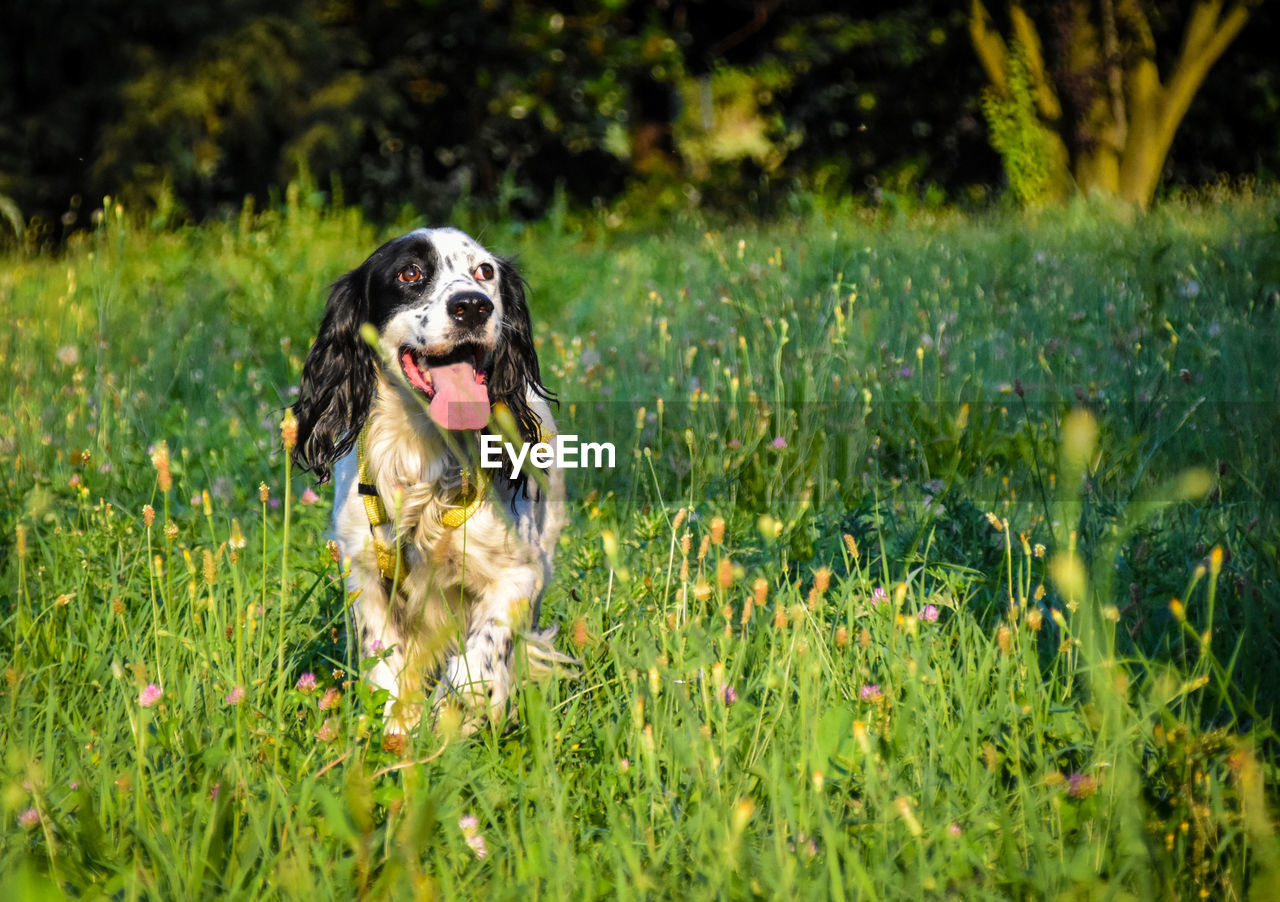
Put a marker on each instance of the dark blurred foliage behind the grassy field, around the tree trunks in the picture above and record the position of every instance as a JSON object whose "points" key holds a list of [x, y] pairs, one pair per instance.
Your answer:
{"points": [[182, 111]]}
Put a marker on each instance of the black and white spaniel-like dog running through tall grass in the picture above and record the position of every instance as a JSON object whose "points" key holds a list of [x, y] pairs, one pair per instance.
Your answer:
{"points": [[423, 349]]}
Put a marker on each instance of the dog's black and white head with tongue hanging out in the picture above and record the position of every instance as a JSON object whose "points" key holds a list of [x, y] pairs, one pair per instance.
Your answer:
{"points": [[451, 319]]}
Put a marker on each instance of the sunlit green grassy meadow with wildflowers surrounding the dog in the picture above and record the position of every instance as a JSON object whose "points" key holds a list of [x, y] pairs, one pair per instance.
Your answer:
{"points": [[940, 560]]}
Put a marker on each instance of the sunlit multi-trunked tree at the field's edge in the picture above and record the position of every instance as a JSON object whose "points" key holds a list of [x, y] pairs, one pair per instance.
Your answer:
{"points": [[1101, 118]]}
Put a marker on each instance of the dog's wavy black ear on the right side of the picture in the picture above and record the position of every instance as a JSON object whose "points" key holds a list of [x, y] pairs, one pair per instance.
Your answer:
{"points": [[515, 368]]}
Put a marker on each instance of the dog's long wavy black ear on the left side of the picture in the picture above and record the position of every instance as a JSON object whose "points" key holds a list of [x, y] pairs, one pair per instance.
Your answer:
{"points": [[339, 379]]}
